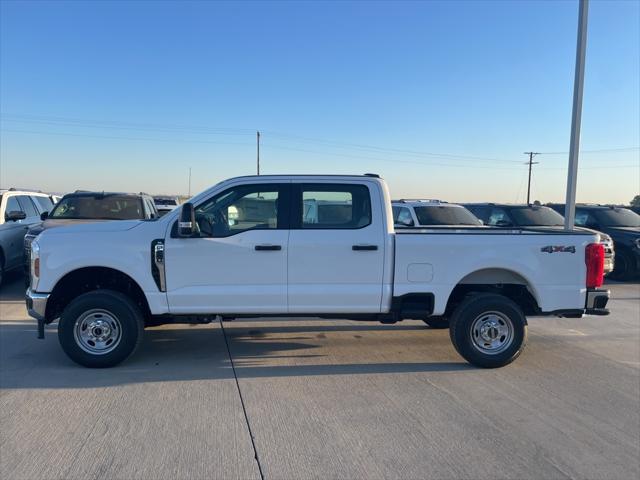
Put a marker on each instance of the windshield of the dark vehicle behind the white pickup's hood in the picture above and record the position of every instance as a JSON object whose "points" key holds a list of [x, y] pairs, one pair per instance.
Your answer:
{"points": [[99, 207]]}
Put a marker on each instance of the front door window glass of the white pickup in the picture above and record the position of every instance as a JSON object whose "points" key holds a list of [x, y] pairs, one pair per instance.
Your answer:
{"points": [[252, 207]]}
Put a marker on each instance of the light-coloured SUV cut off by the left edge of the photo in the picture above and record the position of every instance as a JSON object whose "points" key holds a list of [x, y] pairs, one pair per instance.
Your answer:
{"points": [[18, 210]]}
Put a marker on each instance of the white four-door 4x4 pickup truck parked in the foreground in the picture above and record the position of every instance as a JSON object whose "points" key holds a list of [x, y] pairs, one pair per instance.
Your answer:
{"points": [[249, 247]]}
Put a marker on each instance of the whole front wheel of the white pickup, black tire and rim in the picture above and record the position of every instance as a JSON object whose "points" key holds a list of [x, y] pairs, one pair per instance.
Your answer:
{"points": [[104, 308]]}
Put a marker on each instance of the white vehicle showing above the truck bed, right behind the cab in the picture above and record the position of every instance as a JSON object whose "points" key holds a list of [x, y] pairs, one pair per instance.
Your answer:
{"points": [[427, 213]]}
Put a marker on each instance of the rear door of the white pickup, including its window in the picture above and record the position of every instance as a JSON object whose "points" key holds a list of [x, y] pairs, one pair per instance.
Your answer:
{"points": [[336, 248]]}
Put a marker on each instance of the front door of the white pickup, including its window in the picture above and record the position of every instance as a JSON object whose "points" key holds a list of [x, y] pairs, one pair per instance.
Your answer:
{"points": [[237, 263]]}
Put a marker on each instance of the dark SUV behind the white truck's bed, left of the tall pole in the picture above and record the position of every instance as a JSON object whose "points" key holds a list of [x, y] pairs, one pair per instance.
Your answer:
{"points": [[534, 215]]}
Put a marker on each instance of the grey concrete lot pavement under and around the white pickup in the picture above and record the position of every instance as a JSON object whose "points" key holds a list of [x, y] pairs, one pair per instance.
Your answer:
{"points": [[324, 399]]}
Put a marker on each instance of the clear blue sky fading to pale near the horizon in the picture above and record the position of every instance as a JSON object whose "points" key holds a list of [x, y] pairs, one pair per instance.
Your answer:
{"points": [[441, 98]]}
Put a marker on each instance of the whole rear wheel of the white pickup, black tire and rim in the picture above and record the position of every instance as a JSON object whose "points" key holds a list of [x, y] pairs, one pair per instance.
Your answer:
{"points": [[497, 317]]}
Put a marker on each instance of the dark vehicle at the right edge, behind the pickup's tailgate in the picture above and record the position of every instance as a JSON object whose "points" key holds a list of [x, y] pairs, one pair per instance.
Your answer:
{"points": [[622, 224]]}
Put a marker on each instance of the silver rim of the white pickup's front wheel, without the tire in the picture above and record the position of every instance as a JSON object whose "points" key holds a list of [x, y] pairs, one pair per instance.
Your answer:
{"points": [[97, 332]]}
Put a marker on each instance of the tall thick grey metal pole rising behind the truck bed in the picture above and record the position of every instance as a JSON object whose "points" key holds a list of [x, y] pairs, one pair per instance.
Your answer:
{"points": [[576, 116]]}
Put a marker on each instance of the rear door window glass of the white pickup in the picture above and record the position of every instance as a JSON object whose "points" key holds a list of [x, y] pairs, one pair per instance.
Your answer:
{"points": [[335, 206]]}
